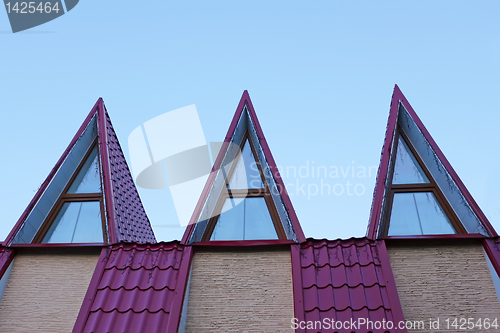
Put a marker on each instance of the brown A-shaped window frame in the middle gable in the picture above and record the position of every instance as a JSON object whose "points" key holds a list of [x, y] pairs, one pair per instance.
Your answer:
{"points": [[227, 193]]}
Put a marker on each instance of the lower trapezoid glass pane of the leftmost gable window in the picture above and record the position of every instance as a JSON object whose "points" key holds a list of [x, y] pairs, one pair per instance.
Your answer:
{"points": [[76, 222]]}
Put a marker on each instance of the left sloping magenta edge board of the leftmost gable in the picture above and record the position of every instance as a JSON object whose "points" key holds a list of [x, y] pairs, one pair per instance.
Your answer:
{"points": [[51, 175]]}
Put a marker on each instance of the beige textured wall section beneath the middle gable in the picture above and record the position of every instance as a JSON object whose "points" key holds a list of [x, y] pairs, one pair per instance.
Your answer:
{"points": [[240, 292]]}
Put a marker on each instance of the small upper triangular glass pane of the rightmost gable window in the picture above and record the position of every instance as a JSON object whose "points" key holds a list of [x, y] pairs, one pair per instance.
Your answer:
{"points": [[407, 170]]}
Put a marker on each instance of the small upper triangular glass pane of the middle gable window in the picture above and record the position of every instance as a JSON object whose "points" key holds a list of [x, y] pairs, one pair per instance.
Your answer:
{"points": [[246, 173]]}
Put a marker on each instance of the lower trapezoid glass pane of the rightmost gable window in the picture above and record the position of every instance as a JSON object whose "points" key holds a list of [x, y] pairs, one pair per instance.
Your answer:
{"points": [[418, 213]]}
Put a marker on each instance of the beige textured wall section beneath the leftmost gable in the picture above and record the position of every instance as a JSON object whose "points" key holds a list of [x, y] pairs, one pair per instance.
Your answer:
{"points": [[44, 292]]}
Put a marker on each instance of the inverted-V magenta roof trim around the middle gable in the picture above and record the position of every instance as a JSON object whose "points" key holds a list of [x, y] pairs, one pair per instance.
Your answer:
{"points": [[245, 100]]}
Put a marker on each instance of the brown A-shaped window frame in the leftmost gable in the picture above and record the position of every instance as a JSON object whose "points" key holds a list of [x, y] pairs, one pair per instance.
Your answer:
{"points": [[74, 197]]}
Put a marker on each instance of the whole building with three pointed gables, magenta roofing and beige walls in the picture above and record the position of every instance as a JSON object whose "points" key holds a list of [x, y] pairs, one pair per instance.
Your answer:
{"points": [[83, 256]]}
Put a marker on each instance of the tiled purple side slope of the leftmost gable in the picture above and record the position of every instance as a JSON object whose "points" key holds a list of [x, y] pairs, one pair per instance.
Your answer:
{"points": [[131, 220]]}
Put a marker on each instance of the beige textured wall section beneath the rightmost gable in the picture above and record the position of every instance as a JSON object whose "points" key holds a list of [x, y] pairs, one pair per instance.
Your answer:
{"points": [[444, 281]]}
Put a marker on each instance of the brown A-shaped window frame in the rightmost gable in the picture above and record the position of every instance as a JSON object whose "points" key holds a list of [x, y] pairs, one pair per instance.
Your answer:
{"points": [[431, 186]]}
